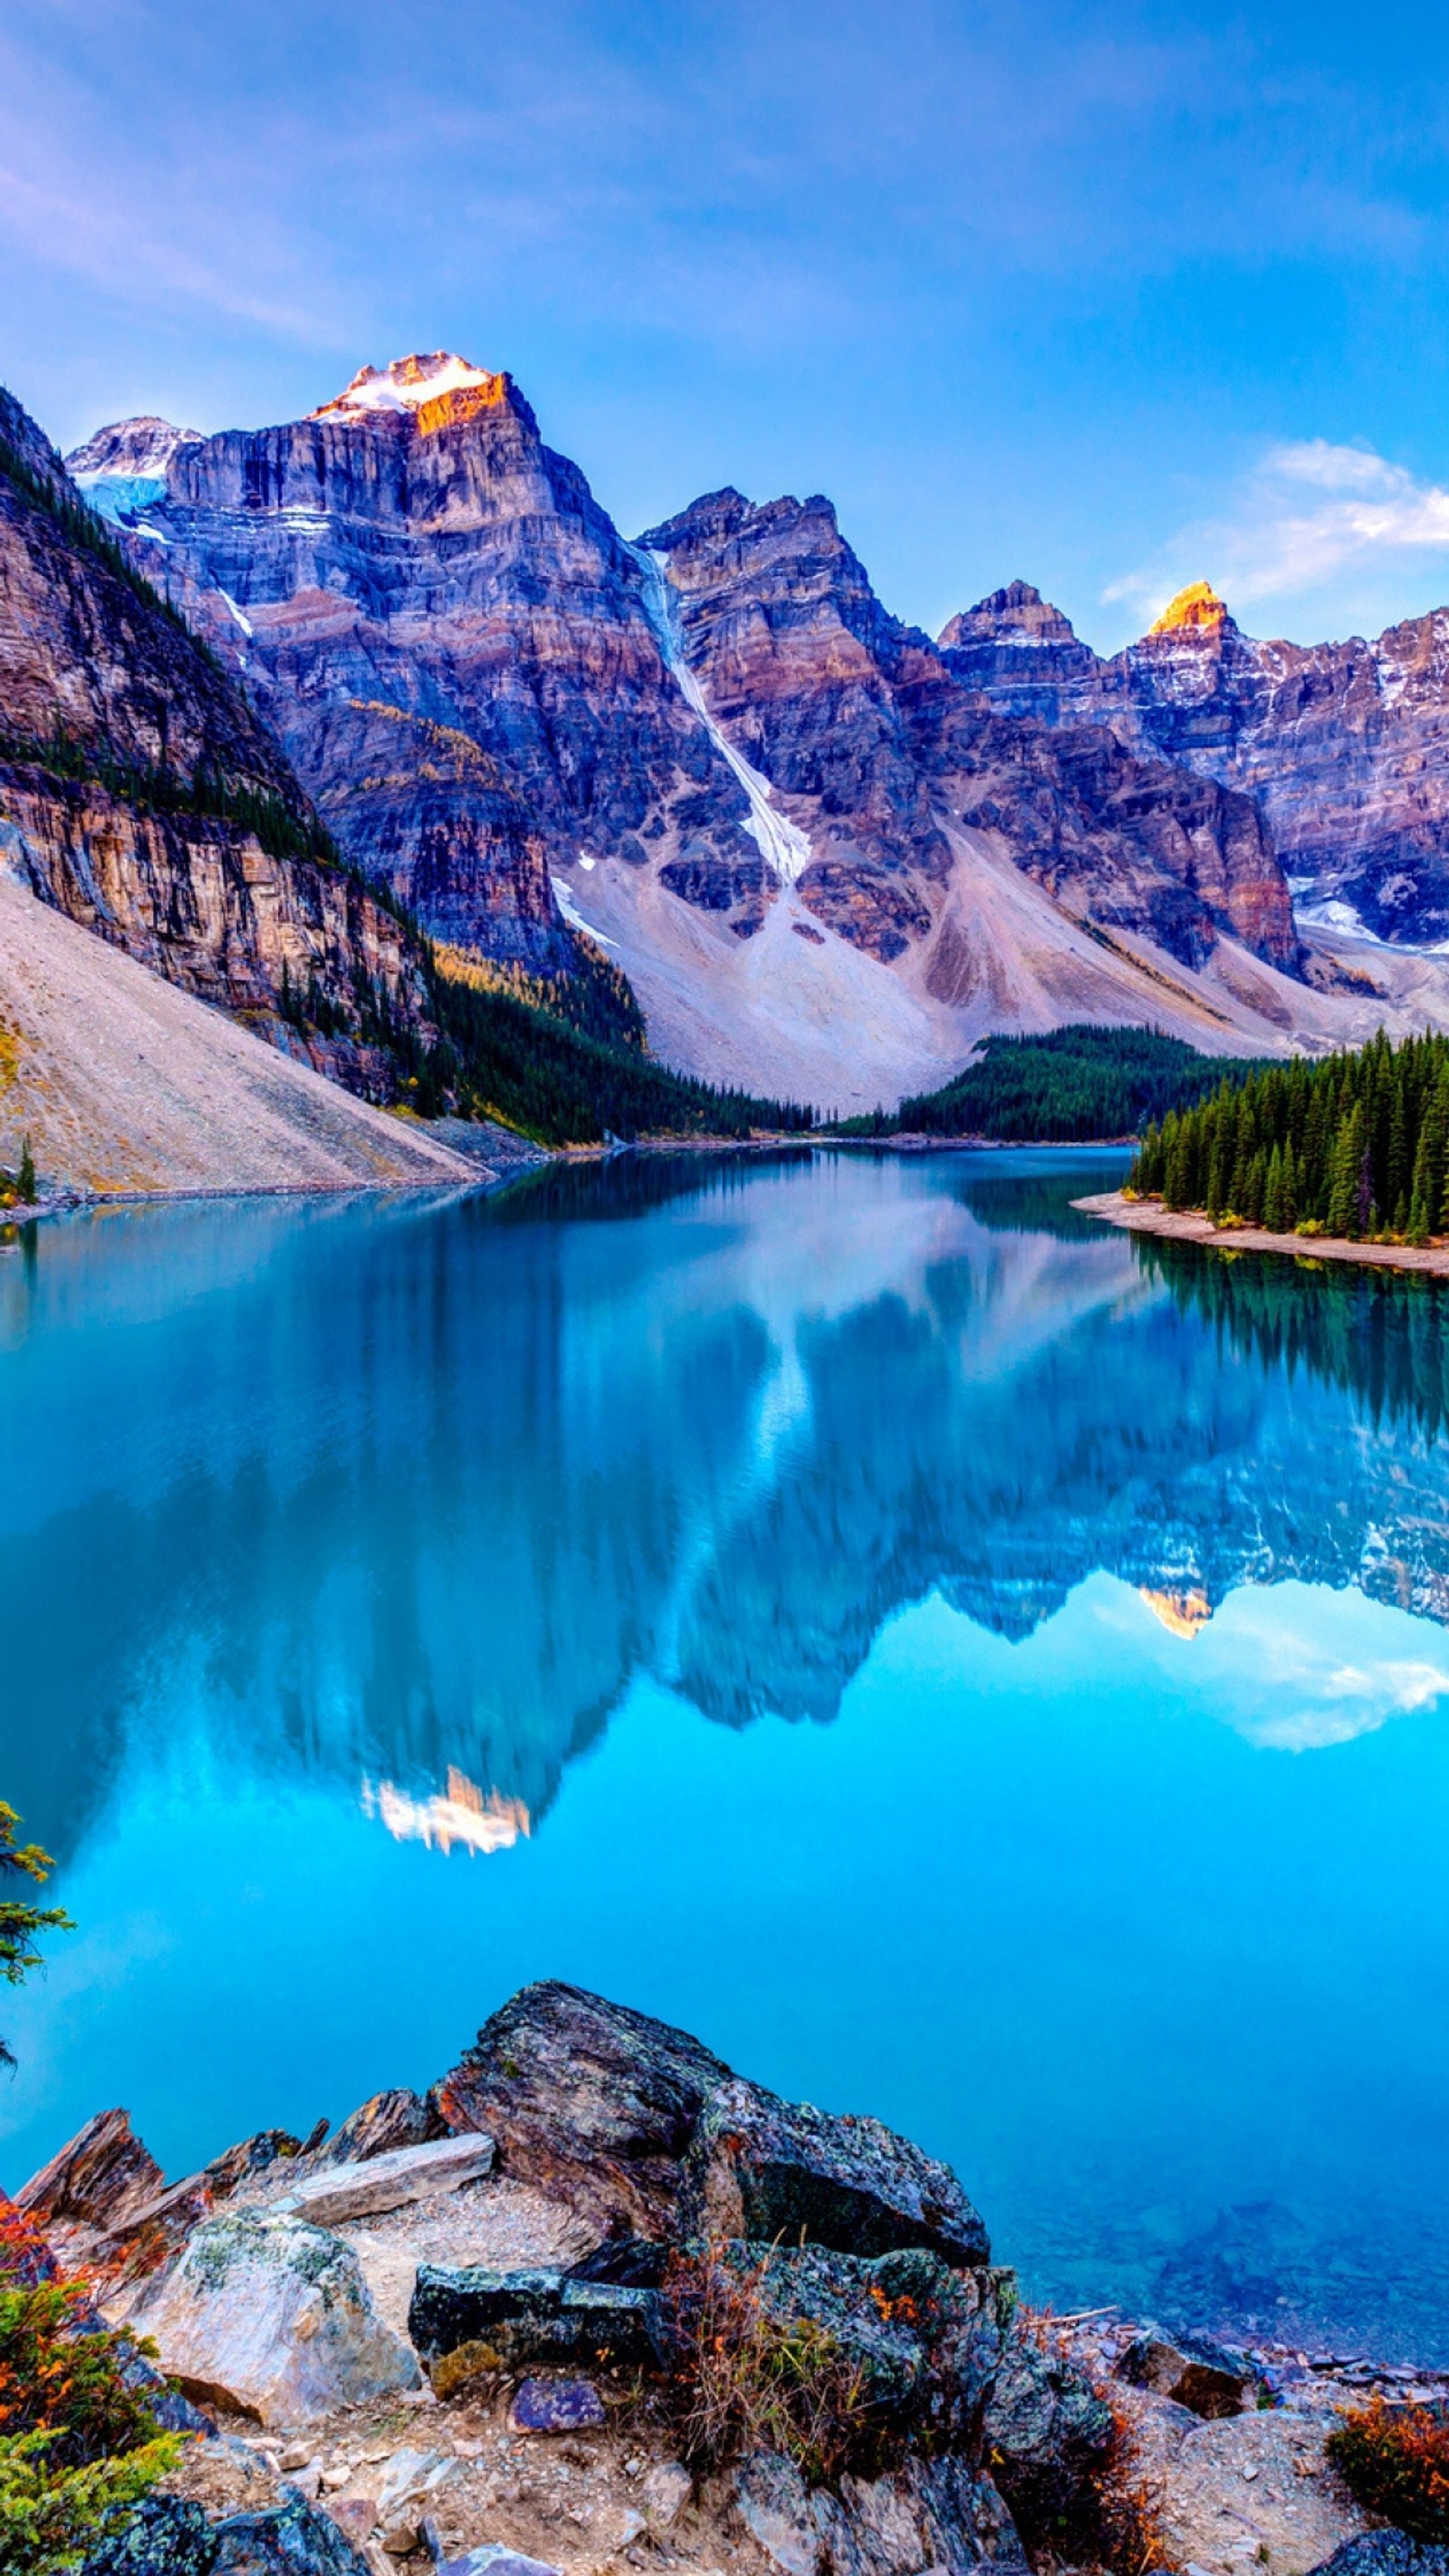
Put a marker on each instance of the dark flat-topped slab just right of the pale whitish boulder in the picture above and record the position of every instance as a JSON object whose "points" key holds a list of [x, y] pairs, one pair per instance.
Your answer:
{"points": [[534, 2317]]}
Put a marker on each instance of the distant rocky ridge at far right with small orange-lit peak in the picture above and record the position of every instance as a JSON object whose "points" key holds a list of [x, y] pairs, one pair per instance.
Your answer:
{"points": [[1345, 746]]}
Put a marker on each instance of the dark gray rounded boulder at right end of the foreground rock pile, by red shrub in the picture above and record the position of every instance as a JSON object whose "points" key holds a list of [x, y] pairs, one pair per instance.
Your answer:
{"points": [[1049, 2438]]}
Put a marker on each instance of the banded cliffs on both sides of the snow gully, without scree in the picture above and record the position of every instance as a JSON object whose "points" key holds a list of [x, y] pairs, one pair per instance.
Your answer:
{"points": [[480, 684]]}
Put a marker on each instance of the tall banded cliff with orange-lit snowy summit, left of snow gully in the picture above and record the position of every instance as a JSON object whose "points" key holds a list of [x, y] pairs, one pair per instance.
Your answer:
{"points": [[449, 638]]}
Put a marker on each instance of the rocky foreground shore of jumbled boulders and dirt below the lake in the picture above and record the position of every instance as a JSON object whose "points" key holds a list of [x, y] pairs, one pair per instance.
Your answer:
{"points": [[598, 2304]]}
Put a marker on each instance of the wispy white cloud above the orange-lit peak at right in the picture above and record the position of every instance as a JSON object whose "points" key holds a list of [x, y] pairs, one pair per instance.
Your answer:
{"points": [[1304, 519]]}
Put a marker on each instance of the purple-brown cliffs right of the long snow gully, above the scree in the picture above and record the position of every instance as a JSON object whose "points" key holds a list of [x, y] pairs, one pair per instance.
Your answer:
{"points": [[879, 751]]}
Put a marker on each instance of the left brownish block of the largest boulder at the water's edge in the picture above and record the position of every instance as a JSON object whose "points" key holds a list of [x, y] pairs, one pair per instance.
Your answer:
{"points": [[586, 2101]]}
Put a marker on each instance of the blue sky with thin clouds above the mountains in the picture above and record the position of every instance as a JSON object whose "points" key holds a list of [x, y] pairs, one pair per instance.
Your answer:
{"points": [[1108, 298]]}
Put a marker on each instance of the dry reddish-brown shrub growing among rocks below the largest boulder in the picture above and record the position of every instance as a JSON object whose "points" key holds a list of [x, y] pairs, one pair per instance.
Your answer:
{"points": [[758, 2382]]}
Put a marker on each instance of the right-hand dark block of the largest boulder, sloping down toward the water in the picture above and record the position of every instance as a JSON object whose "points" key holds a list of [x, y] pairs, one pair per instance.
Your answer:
{"points": [[766, 2168]]}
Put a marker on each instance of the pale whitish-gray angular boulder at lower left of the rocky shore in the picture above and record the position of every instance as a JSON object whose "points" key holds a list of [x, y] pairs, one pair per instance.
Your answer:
{"points": [[272, 2317]]}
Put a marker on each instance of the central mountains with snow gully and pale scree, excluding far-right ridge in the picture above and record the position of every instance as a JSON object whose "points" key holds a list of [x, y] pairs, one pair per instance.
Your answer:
{"points": [[825, 849]]}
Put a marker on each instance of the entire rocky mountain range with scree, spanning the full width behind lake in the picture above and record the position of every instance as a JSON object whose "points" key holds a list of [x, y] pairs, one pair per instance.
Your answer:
{"points": [[827, 851]]}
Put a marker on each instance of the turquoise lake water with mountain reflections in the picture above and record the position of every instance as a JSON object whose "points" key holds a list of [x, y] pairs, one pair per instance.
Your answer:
{"points": [[959, 1660]]}
